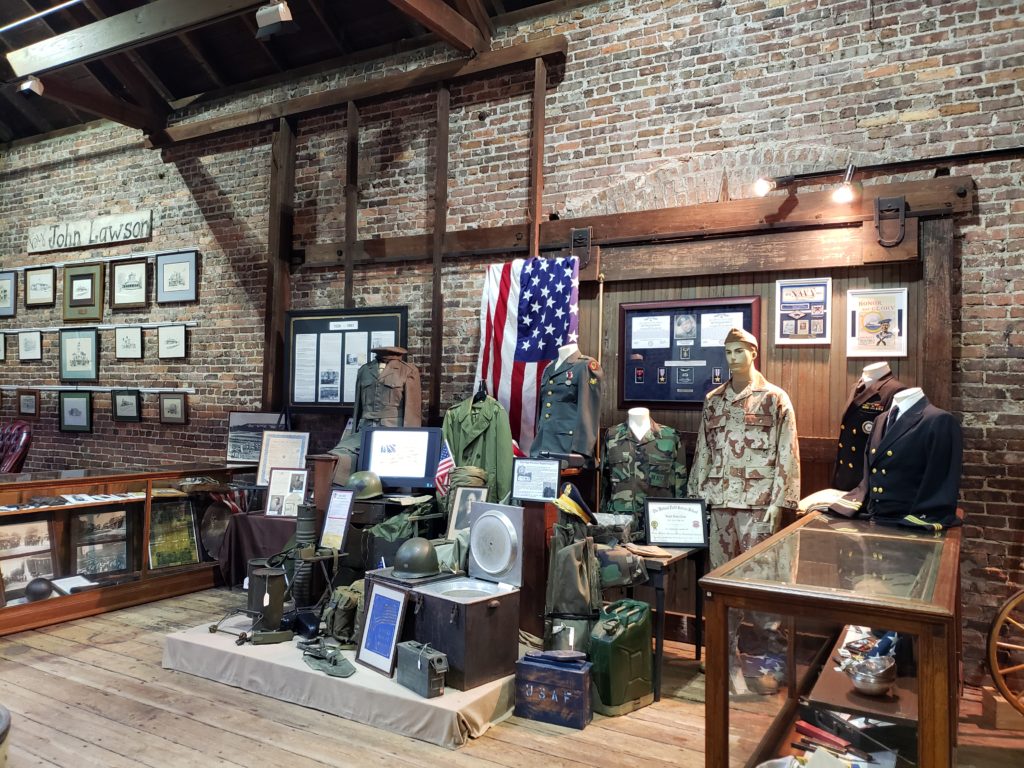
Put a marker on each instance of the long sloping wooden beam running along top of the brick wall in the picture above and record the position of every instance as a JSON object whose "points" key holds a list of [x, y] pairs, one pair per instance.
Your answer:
{"points": [[556, 47]]}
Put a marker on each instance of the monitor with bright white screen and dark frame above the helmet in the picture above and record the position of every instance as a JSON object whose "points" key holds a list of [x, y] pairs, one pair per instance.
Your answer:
{"points": [[405, 457]]}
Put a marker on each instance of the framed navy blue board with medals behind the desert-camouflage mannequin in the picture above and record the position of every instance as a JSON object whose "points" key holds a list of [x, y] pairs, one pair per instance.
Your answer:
{"points": [[672, 354]]}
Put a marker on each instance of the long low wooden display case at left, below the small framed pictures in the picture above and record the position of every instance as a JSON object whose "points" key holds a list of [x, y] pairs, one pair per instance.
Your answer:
{"points": [[44, 520]]}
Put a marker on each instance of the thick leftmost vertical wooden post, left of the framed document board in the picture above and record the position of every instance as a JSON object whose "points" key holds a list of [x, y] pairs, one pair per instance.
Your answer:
{"points": [[279, 284]]}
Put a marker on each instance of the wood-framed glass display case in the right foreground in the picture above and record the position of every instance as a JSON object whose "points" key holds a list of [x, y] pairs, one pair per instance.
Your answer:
{"points": [[778, 622]]}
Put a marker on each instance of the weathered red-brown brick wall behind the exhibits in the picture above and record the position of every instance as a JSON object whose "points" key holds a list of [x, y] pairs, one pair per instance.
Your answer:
{"points": [[659, 104]]}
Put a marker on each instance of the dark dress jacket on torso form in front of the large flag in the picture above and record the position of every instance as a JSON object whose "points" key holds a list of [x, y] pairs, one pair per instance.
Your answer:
{"points": [[569, 408]]}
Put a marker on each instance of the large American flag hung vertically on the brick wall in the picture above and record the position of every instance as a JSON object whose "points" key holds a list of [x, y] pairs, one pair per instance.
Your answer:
{"points": [[530, 309]]}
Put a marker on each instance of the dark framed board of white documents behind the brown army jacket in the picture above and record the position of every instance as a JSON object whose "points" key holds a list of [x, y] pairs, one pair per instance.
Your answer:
{"points": [[325, 350]]}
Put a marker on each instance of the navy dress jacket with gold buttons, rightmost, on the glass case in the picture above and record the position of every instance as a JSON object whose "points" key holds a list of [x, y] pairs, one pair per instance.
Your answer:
{"points": [[913, 472]]}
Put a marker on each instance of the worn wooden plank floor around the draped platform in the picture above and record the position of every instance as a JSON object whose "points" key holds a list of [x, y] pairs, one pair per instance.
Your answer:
{"points": [[93, 693]]}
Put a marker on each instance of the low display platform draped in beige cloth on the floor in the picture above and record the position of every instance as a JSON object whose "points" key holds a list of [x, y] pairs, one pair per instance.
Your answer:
{"points": [[279, 672]]}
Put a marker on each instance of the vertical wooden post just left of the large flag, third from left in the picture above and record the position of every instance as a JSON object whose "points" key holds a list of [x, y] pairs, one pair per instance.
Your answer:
{"points": [[442, 151]]}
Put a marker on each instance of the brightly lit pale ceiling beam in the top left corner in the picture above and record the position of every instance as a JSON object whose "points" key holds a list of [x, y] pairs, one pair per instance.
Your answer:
{"points": [[122, 32]]}
